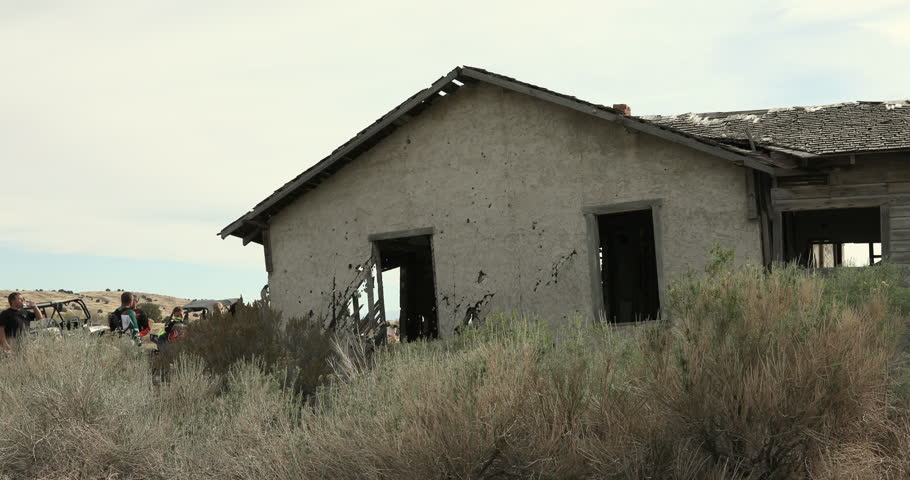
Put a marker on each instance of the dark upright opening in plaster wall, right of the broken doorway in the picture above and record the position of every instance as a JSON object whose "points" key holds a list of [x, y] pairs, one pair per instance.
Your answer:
{"points": [[627, 258]]}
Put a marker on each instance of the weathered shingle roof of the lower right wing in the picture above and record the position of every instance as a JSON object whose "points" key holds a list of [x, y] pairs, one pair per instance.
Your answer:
{"points": [[838, 129]]}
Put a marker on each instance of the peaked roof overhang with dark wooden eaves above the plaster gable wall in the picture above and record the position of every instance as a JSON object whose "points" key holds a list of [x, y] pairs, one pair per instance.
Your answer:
{"points": [[249, 226]]}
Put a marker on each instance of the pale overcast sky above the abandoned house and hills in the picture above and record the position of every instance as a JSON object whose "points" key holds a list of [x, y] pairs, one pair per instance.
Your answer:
{"points": [[131, 132]]}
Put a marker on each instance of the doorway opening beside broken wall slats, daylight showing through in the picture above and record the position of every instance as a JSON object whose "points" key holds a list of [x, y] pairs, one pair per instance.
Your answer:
{"points": [[412, 259]]}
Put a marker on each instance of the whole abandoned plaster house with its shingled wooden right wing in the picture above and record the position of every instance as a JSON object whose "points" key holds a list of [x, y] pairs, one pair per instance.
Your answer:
{"points": [[486, 194]]}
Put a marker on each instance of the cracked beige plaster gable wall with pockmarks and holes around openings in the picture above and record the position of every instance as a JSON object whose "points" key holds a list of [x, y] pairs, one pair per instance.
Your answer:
{"points": [[502, 178]]}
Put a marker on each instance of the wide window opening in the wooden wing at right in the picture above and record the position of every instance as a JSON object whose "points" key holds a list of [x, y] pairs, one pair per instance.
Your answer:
{"points": [[833, 237]]}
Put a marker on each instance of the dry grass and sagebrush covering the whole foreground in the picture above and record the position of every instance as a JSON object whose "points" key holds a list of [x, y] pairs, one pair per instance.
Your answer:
{"points": [[758, 376]]}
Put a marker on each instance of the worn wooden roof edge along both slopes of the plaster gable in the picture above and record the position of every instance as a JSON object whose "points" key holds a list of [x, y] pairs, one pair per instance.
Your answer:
{"points": [[246, 226]]}
